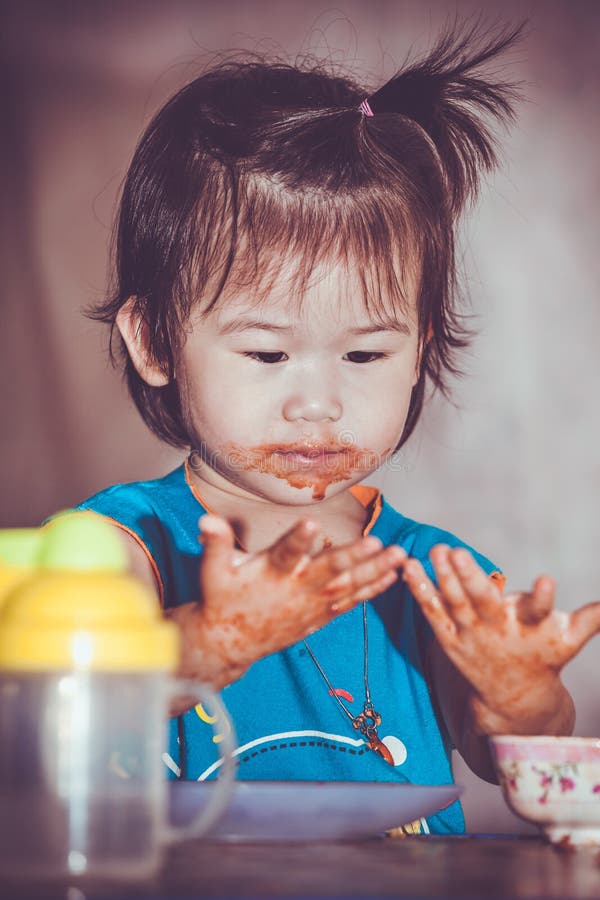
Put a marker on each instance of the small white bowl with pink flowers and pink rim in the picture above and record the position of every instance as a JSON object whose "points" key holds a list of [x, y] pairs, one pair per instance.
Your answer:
{"points": [[553, 782]]}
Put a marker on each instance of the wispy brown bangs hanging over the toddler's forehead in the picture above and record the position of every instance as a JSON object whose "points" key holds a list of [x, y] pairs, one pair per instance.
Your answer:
{"points": [[275, 239]]}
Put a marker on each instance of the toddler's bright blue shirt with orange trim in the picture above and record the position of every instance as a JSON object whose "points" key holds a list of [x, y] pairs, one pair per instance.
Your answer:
{"points": [[287, 723]]}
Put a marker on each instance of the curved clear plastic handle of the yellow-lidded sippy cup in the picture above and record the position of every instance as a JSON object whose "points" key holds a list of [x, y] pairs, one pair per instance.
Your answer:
{"points": [[221, 789]]}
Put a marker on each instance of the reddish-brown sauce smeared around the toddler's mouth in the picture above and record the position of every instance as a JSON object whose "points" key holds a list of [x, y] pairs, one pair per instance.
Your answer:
{"points": [[314, 464]]}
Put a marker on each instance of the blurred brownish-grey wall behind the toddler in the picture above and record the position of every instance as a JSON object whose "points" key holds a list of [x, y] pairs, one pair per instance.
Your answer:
{"points": [[513, 468]]}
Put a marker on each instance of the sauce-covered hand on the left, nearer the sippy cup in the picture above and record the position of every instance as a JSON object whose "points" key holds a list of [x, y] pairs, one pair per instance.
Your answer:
{"points": [[255, 604]]}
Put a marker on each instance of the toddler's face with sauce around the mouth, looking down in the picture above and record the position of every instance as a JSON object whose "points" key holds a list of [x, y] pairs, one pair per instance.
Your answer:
{"points": [[292, 404]]}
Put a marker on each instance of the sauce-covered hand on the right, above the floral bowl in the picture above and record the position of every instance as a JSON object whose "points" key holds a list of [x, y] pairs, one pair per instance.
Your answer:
{"points": [[511, 647]]}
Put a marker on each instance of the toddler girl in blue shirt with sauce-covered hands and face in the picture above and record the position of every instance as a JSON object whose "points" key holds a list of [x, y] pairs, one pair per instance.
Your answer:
{"points": [[285, 294]]}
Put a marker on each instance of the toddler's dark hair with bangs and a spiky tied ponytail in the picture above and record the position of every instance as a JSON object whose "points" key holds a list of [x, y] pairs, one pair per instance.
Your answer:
{"points": [[254, 158]]}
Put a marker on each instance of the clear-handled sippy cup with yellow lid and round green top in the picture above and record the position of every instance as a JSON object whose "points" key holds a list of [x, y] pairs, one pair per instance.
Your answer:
{"points": [[85, 684]]}
